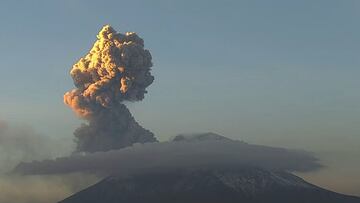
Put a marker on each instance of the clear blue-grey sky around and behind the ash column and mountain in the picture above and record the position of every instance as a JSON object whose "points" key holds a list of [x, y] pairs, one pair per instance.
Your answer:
{"points": [[278, 73]]}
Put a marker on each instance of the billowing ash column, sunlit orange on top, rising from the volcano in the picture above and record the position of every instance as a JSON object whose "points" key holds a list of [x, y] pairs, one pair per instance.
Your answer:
{"points": [[116, 69]]}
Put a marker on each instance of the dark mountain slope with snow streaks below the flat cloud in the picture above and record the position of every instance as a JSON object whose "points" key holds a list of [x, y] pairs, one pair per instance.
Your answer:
{"points": [[246, 185]]}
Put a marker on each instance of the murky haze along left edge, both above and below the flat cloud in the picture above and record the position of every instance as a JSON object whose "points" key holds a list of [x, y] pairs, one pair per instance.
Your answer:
{"points": [[20, 143]]}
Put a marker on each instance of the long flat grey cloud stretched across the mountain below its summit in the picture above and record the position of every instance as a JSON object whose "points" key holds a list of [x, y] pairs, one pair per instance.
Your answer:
{"points": [[167, 156]]}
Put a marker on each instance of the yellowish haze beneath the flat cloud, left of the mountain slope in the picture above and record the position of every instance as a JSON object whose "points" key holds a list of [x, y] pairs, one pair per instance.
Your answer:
{"points": [[42, 189]]}
